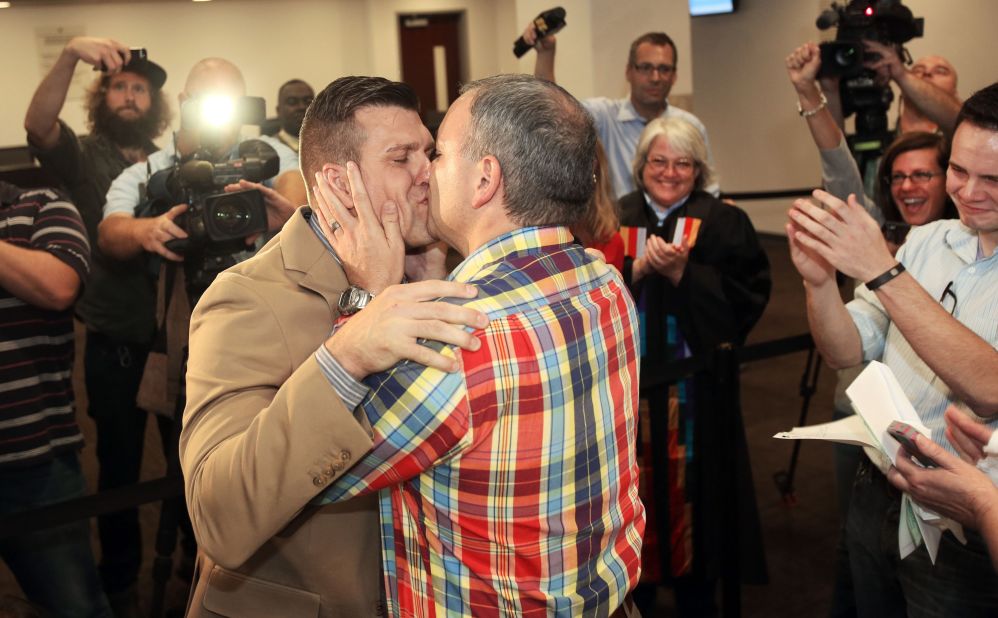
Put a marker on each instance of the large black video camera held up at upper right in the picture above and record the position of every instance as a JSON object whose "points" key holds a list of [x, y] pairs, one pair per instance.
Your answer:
{"points": [[885, 21]]}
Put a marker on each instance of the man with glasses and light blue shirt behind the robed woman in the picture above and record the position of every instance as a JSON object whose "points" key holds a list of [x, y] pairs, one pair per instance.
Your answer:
{"points": [[651, 72]]}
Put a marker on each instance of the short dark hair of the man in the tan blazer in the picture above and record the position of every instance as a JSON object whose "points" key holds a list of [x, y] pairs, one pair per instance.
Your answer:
{"points": [[329, 133]]}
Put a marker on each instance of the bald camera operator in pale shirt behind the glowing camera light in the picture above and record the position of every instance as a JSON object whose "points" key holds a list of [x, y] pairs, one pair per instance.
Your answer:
{"points": [[121, 234]]}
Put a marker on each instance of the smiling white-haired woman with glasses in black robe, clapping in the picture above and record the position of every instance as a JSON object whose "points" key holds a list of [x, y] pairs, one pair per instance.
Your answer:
{"points": [[700, 279]]}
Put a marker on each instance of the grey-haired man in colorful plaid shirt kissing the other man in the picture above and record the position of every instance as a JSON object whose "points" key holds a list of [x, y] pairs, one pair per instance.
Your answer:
{"points": [[509, 487]]}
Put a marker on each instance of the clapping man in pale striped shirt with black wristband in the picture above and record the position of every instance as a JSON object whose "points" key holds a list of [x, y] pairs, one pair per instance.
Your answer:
{"points": [[942, 351]]}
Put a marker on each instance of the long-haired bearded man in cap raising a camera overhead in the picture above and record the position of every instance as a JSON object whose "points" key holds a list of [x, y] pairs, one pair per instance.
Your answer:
{"points": [[126, 109]]}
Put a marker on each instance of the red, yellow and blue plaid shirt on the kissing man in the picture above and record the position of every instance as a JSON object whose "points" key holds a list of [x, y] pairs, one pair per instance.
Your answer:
{"points": [[510, 487]]}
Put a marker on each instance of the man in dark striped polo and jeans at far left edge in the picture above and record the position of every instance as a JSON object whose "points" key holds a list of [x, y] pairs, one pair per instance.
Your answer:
{"points": [[45, 258]]}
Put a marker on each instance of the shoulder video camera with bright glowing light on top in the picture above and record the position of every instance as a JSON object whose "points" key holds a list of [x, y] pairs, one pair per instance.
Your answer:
{"points": [[216, 222]]}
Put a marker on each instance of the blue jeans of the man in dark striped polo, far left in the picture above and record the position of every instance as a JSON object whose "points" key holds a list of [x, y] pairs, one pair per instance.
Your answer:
{"points": [[55, 567]]}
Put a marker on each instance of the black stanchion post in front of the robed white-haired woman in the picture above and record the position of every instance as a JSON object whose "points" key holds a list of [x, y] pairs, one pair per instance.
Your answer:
{"points": [[726, 373]]}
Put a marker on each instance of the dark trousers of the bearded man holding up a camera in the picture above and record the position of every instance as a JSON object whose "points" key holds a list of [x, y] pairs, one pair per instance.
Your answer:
{"points": [[113, 371]]}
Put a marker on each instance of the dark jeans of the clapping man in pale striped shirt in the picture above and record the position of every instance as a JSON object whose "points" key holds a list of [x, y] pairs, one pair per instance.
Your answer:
{"points": [[961, 583]]}
